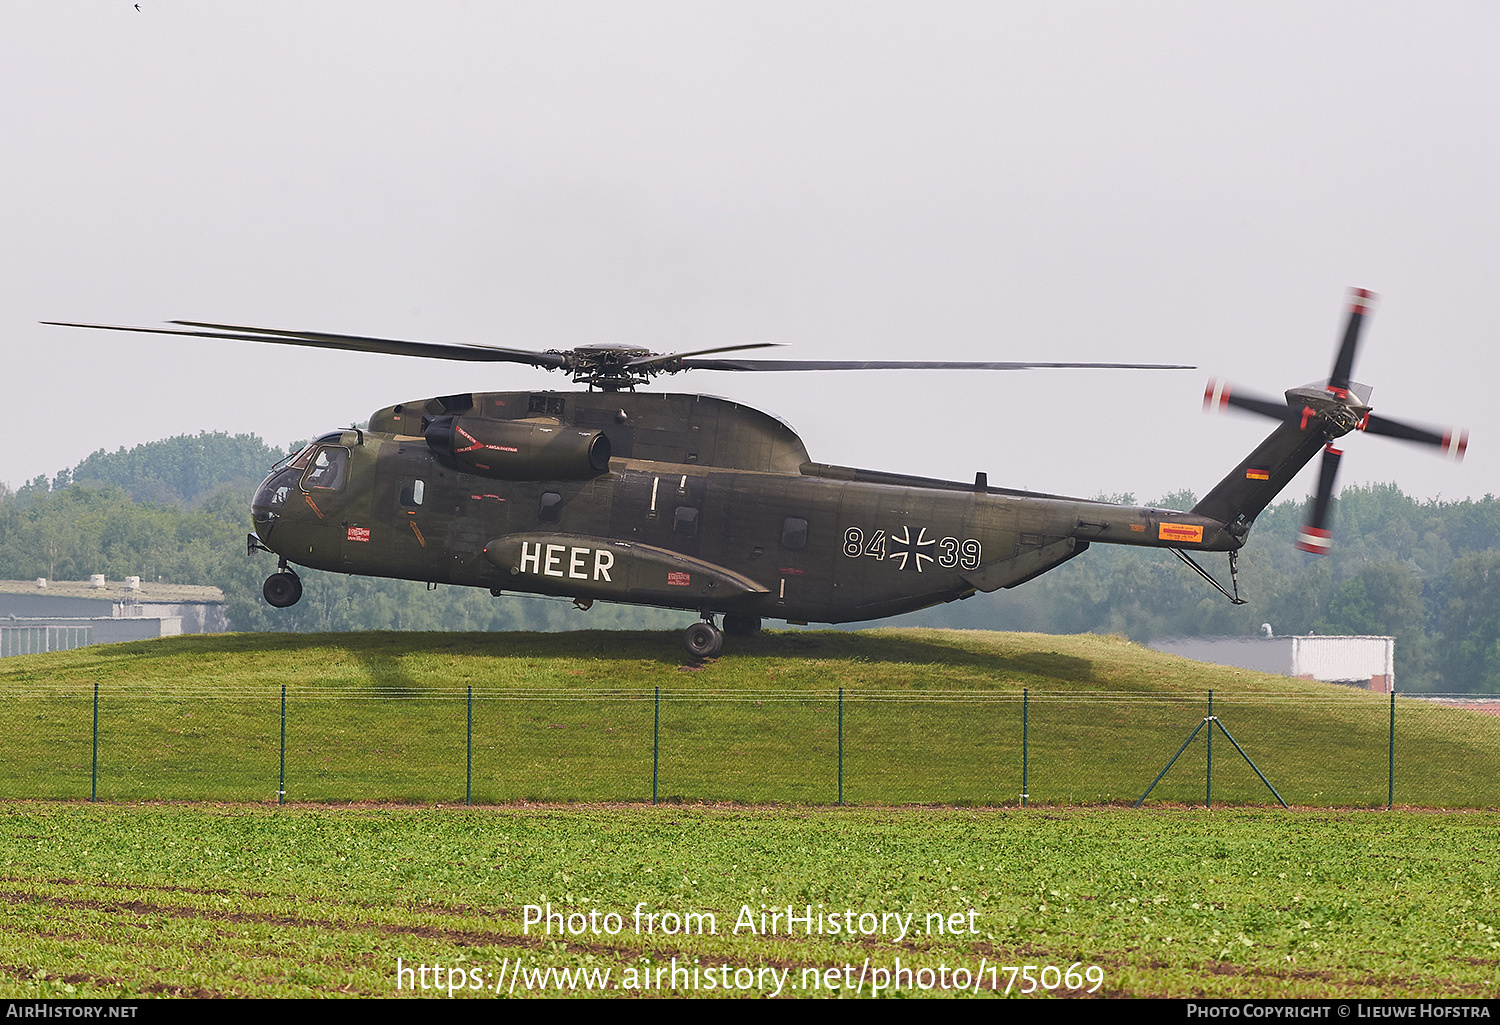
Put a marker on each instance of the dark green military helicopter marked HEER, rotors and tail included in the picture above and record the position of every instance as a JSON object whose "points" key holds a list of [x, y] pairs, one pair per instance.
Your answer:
{"points": [[700, 503]]}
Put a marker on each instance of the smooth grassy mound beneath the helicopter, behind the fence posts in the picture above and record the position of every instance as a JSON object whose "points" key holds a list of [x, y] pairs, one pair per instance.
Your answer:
{"points": [[929, 717]]}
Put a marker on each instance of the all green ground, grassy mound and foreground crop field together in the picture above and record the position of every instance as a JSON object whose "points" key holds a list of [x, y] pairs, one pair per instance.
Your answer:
{"points": [[139, 895]]}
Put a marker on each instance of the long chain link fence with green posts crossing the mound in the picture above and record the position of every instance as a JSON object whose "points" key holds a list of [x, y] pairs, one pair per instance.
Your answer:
{"points": [[310, 745]]}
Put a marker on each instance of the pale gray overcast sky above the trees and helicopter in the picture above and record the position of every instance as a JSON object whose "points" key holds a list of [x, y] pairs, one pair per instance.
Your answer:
{"points": [[1183, 182]]}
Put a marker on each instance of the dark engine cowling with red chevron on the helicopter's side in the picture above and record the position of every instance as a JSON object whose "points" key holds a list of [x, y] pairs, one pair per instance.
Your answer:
{"points": [[518, 449]]}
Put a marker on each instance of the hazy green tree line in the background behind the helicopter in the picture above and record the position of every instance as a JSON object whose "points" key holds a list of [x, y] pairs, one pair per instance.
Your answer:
{"points": [[1423, 571]]}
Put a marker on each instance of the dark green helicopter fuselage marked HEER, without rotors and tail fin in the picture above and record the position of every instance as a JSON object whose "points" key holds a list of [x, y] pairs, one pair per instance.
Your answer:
{"points": [[704, 505]]}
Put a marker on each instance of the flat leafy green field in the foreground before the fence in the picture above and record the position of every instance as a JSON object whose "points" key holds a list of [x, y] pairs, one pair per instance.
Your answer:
{"points": [[131, 901]]}
